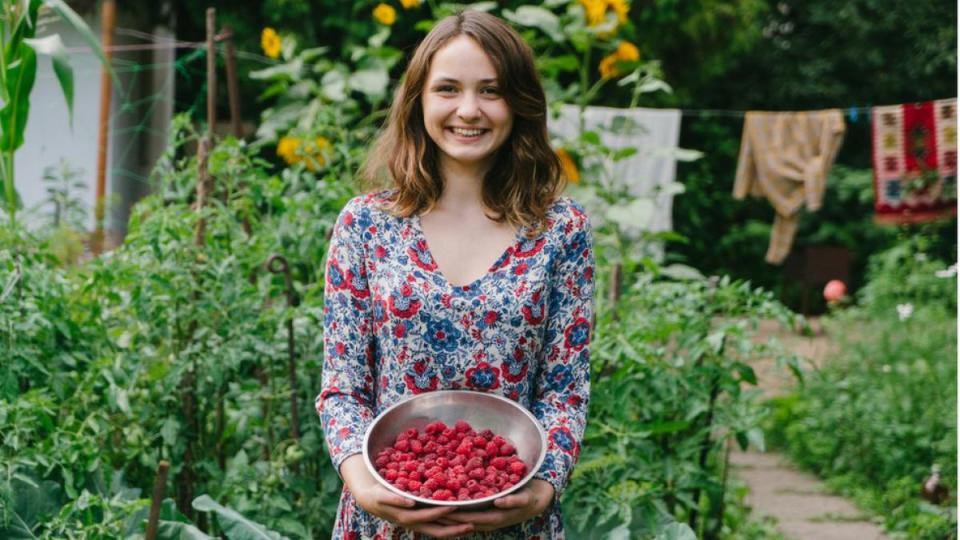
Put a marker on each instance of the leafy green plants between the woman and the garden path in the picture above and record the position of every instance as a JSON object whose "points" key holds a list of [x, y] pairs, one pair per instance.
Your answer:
{"points": [[670, 371]]}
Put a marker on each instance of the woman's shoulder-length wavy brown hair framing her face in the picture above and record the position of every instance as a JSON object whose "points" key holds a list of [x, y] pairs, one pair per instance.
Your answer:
{"points": [[525, 177]]}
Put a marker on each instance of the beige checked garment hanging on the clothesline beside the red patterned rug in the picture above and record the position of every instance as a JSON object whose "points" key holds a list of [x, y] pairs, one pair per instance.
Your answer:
{"points": [[785, 157]]}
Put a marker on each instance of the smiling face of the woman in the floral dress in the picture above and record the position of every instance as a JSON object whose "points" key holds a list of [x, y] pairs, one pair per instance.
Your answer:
{"points": [[464, 111]]}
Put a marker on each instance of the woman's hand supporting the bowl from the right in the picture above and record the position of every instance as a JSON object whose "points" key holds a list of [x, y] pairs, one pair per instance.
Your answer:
{"points": [[521, 505]]}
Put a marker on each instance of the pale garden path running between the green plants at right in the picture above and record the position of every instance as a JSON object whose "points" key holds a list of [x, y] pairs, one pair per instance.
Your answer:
{"points": [[801, 505]]}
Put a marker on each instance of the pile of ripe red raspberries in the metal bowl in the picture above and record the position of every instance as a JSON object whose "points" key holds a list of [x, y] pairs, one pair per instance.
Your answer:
{"points": [[450, 463]]}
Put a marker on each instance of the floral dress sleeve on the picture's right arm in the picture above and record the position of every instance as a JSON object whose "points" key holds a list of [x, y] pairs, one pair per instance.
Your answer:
{"points": [[562, 385]]}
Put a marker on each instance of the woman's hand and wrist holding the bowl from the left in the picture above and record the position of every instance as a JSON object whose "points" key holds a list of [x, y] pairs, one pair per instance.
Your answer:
{"points": [[383, 503]]}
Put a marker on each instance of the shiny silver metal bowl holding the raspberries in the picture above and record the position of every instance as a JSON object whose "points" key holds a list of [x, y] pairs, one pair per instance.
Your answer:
{"points": [[503, 416]]}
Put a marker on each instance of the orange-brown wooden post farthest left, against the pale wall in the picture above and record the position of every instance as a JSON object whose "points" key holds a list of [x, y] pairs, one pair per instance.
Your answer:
{"points": [[108, 17]]}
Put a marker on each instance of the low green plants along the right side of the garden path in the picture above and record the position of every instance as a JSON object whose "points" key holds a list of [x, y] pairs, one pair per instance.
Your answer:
{"points": [[882, 411]]}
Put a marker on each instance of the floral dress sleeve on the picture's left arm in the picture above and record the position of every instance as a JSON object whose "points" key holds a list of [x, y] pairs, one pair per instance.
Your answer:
{"points": [[347, 400]]}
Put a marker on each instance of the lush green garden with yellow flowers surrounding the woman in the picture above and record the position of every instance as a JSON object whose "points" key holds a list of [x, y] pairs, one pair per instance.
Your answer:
{"points": [[165, 388]]}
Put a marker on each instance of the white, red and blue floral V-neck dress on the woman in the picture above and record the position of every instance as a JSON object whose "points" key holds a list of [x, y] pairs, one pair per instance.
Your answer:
{"points": [[394, 327]]}
